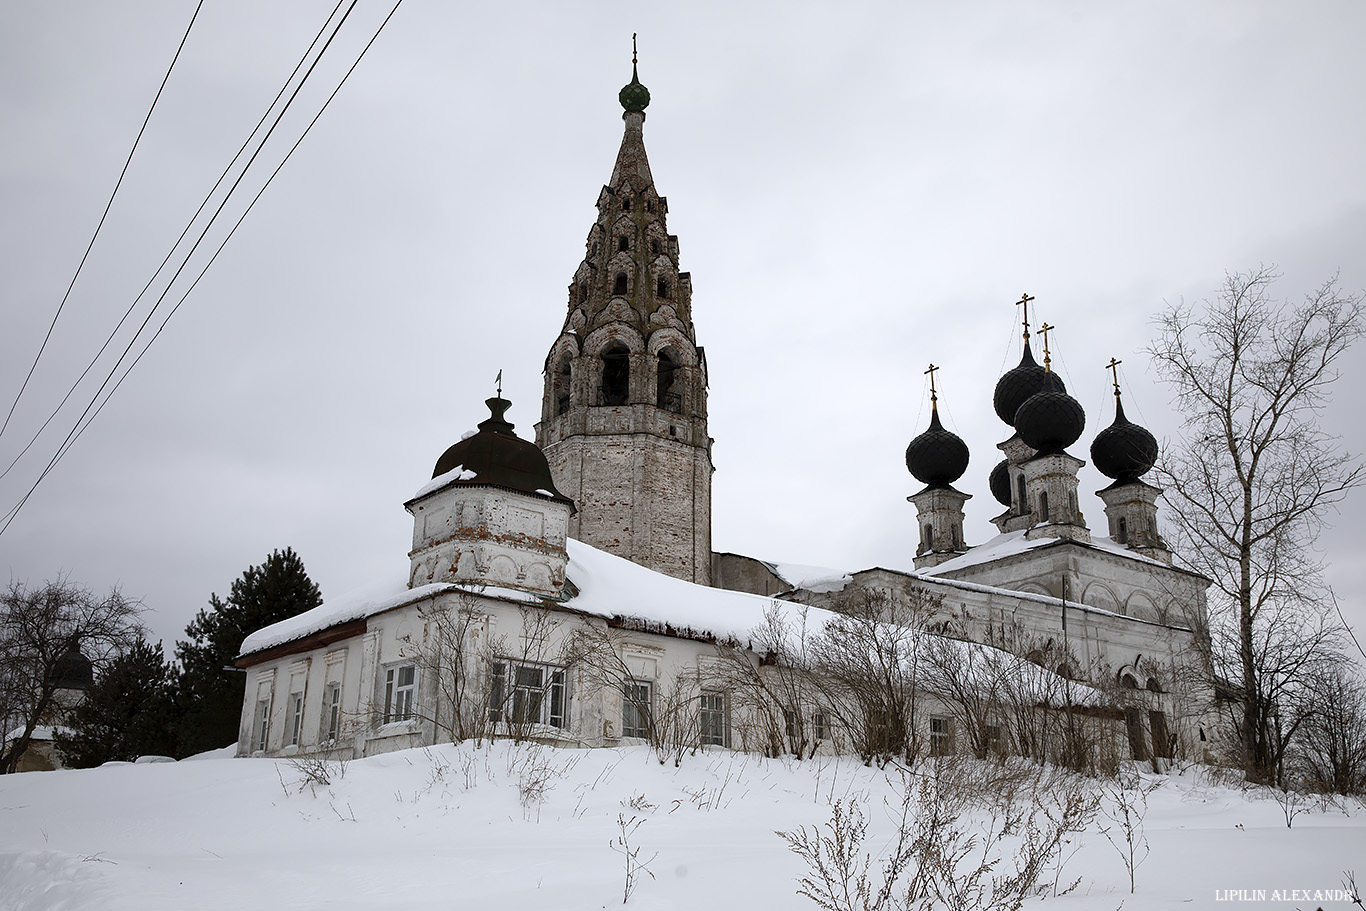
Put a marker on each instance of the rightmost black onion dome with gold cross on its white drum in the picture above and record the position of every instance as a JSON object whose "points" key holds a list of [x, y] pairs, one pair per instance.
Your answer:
{"points": [[1125, 451]]}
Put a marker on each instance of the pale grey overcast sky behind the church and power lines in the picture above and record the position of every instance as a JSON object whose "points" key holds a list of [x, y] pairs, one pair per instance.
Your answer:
{"points": [[859, 191]]}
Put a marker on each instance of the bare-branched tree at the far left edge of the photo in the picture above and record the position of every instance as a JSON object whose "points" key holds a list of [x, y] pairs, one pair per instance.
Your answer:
{"points": [[39, 629]]}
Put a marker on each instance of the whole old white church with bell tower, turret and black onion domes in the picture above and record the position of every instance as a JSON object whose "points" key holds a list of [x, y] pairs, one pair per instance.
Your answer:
{"points": [[566, 589]]}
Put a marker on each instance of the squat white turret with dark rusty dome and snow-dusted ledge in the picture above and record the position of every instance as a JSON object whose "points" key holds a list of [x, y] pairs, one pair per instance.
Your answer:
{"points": [[491, 514]]}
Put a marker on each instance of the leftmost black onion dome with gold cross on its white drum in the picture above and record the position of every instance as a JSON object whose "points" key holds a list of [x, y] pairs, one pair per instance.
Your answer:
{"points": [[938, 458]]}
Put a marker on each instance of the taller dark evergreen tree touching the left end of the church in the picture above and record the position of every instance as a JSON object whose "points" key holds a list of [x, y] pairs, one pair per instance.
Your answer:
{"points": [[208, 690]]}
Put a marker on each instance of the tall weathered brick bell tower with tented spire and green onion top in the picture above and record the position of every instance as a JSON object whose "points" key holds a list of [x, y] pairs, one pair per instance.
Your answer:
{"points": [[624, 421]]}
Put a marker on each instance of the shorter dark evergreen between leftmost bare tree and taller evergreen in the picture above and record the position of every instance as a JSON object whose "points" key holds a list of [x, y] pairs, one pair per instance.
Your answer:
{"points": [[128, 712]]}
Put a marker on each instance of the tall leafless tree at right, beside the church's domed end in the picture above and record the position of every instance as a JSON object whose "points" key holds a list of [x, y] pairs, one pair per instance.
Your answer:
{"points": [[1253, 476]]}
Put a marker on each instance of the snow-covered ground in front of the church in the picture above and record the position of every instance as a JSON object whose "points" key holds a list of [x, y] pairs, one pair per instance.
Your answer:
{"points": [[462, 828]]}
